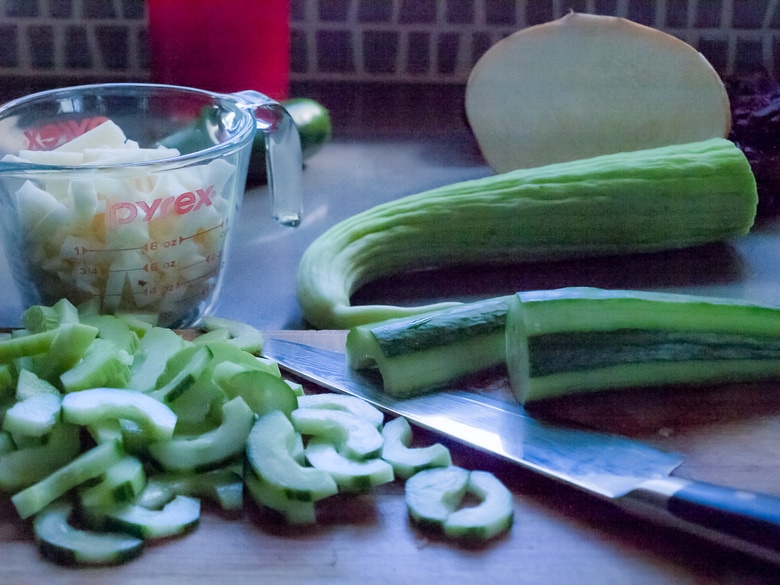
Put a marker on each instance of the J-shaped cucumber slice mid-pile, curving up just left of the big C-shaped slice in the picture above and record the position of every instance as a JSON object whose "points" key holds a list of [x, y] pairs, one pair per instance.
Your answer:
{"points": [[211, 448]]}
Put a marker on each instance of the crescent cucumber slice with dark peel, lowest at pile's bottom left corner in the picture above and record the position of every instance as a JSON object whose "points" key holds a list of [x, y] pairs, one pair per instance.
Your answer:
{"points": [[61, 542]]}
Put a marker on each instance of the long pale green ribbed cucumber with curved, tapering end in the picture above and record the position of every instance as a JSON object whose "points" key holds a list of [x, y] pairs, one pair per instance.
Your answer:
{"points": [[650, 200]]}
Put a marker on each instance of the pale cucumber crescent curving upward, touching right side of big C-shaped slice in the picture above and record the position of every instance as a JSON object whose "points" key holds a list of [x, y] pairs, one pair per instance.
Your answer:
{"points": [[350, 475]]}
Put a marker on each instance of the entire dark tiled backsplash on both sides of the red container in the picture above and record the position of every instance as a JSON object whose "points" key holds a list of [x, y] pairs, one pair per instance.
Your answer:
{"points": [[432, 41]]}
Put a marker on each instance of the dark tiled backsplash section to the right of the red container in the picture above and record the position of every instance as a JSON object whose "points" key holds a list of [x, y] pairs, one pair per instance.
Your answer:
{"points": [[440, 40]]}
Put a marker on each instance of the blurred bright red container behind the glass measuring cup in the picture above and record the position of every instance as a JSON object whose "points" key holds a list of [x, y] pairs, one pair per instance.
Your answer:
{"points": [[221, 45]]}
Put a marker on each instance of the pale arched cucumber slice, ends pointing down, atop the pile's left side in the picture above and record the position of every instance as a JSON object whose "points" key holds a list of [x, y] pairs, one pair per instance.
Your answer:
{"points": [[87, 406]]}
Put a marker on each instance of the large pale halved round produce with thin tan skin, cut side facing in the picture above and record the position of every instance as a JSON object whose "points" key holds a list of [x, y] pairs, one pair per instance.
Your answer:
{"points": [[586, 85]]}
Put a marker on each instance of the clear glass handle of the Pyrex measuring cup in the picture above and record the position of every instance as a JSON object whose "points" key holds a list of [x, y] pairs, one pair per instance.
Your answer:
{"points": [[284, 162]]}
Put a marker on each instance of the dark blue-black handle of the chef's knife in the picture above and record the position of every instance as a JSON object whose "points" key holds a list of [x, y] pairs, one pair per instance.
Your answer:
{"points": [[741, 520]]}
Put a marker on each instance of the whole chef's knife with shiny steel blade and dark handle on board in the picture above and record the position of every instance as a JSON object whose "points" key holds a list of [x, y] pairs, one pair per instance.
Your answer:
{"points": [[631, 474]]}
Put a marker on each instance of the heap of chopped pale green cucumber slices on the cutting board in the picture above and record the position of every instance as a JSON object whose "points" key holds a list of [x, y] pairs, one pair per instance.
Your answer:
{"points": [[114, 430]]}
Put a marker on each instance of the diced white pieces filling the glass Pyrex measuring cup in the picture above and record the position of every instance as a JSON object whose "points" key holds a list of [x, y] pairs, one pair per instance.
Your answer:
{"points": [[133, 238]]}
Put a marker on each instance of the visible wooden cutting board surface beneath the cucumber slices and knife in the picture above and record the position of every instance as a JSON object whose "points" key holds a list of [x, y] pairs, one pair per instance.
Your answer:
{"points": [[728, 435]]}
